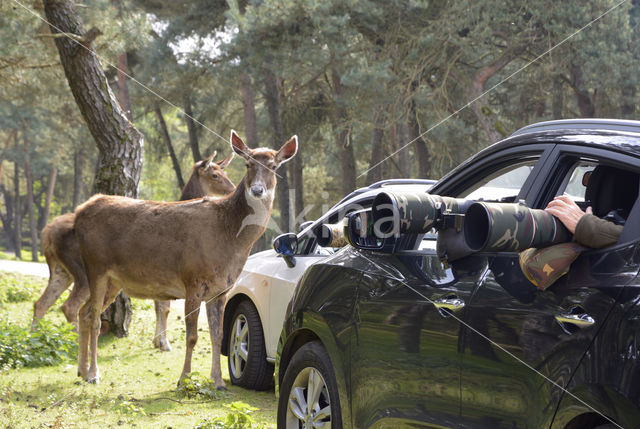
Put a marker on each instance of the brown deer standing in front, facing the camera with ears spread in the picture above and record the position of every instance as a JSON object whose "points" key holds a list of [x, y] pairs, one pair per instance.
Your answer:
{"points": [[193, 250]]}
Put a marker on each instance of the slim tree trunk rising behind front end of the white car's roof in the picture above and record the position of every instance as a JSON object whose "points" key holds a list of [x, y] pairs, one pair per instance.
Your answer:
{"points": [[343, 132]]}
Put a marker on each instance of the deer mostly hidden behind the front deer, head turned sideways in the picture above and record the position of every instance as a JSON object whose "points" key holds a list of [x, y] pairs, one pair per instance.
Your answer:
{"points": [[65, 262]]}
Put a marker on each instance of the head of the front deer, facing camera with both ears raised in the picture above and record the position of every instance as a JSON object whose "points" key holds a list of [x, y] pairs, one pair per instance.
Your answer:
{"points": [[262, 163]]}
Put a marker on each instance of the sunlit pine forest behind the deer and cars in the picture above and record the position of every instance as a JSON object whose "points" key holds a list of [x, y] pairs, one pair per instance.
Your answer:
{"points": [[356, 80]]}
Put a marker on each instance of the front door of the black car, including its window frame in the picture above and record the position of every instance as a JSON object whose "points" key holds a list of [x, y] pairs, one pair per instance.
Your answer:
{"points": [[405, 360]]}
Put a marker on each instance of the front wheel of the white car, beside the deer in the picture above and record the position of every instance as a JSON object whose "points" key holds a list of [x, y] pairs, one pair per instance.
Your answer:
{"points": [[248, 366]]}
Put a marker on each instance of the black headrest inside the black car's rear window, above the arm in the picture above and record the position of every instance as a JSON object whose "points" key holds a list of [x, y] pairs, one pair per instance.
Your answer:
{"points": [[611, 189]]}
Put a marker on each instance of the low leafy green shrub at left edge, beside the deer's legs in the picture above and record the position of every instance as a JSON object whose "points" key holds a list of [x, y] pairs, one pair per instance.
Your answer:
{"points": [[47, 345]]}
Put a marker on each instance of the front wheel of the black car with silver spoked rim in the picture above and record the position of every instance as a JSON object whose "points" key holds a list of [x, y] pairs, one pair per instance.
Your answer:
{"points": [[309, 366]]}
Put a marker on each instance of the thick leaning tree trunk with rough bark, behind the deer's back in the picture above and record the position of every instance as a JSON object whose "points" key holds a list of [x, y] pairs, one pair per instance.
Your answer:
{"points": [[119, 142]]}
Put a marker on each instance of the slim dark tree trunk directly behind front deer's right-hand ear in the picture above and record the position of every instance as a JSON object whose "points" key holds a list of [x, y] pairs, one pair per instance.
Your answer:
{"points": [[272, 96]]}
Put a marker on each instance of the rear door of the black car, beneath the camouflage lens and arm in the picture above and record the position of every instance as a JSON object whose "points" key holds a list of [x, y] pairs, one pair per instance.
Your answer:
{"points": [[521, 345]]}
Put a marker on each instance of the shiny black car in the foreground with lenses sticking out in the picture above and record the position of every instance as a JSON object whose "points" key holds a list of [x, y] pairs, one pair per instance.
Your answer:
{"points": [[396, 336]]}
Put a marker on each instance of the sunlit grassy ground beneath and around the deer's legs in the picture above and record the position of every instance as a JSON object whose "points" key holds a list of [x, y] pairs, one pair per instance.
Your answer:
{"points": [[138, 382]]}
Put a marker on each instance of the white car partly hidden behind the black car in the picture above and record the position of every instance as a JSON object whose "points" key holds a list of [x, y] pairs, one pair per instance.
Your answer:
{"points": [[255, 307]]}
